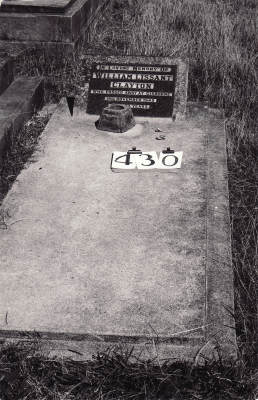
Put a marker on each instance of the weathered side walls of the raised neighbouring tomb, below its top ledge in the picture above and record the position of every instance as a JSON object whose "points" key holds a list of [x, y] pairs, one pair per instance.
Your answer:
{"points": [[68, 30]]}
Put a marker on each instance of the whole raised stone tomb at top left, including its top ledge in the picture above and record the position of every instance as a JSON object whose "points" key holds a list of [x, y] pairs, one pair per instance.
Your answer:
{"points": [[24, 23]]}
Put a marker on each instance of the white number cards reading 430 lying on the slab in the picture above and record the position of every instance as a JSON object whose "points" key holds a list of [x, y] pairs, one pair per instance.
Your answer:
{"points": [[146, 160]]}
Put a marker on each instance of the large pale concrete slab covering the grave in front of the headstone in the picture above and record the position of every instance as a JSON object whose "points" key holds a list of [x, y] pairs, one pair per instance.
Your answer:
{"points": [[94, 256]]}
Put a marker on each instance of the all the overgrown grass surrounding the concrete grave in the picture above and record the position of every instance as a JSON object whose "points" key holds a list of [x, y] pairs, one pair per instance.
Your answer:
{"points": [[220, 40]]}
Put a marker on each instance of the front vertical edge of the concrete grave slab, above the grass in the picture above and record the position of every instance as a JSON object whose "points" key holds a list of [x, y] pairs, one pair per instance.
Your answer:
{"points": [[153, 348]]}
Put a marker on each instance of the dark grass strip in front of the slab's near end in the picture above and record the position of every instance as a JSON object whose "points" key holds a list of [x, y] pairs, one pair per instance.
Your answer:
{"points": [[116, 374]]}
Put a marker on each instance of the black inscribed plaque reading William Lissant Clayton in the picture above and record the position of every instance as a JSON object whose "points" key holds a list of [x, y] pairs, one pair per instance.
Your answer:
{"points": [[147, 89]]}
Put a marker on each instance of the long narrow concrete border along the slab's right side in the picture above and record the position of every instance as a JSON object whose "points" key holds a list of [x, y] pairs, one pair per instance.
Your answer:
{"points": [[219, 267]]}
